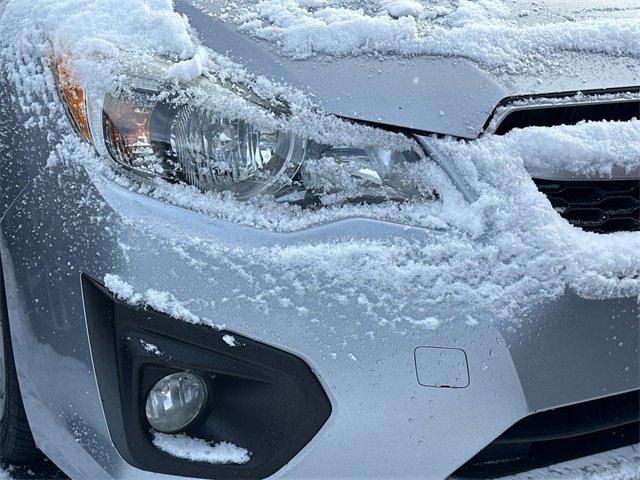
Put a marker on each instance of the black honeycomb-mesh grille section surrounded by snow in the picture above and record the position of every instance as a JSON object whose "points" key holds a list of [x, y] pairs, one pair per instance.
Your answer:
{"points": [[601, 206]]}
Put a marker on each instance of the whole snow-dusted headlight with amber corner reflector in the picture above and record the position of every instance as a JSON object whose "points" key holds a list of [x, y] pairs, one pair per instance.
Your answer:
{"points": [[166, 132]]}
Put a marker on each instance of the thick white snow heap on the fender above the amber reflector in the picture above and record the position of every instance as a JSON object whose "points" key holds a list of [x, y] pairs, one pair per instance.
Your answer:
{"points": [[88, 39]]}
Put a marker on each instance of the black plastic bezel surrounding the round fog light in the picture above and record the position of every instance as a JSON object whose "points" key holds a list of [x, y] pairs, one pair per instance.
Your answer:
{"points": [[261, 398]]}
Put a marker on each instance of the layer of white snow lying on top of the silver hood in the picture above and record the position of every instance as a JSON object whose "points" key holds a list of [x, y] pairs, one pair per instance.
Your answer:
{"points": [[485, 31]]}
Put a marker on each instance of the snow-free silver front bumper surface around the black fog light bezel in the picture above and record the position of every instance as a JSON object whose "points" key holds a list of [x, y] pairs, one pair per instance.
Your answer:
{"points": [[386, 421]]}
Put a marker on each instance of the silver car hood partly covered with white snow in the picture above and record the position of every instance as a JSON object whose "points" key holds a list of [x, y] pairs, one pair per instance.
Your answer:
{"points": [[436, 66]]}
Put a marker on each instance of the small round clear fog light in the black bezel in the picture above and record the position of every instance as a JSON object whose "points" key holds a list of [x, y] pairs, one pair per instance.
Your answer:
{"points": [[175, 402]]}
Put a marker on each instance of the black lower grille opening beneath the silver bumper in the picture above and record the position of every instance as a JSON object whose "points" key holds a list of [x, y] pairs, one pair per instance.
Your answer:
{"points": [[559, 435]]}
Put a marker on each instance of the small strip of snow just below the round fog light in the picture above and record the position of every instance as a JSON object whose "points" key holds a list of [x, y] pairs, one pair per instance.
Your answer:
{"points": [[198, 450]]}
